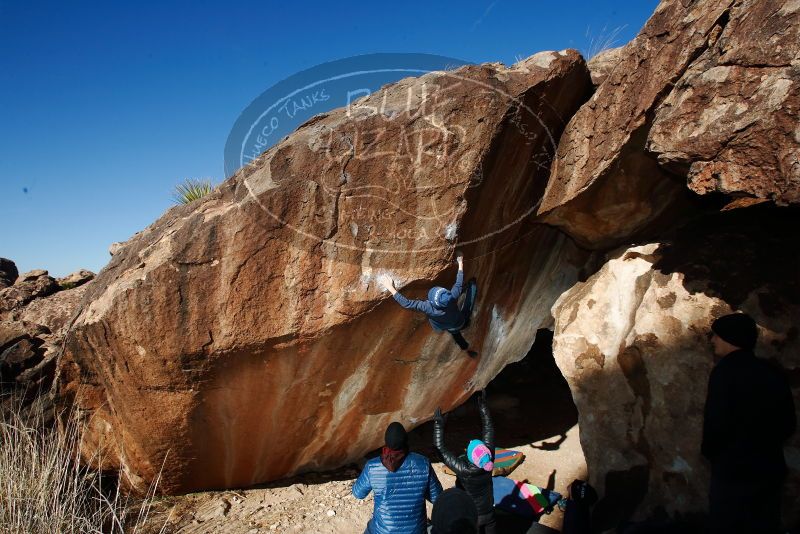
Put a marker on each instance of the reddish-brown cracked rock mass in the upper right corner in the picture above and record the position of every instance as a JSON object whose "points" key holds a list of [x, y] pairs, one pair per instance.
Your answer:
{"points": [[707, 92]]}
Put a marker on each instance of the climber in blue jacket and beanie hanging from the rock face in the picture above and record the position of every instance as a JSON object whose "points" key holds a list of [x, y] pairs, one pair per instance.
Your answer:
{"points": [[441, 307]]}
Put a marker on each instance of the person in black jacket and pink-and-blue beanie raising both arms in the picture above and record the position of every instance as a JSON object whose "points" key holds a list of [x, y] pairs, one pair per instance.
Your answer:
{"points": [[475, 471]]}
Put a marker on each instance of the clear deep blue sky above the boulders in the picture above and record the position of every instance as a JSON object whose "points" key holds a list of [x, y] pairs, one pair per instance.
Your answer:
{"points": [[105, 106]]}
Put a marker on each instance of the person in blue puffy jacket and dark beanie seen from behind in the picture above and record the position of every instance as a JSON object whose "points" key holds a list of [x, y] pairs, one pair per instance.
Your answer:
{"points": [[401, 481]]}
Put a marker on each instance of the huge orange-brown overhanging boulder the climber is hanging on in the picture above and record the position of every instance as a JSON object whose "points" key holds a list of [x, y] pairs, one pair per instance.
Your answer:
{"points": [[243, 337]]}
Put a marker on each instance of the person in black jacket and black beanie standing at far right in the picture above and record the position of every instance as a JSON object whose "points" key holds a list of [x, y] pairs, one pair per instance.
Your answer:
{"points": [[749, 413]]}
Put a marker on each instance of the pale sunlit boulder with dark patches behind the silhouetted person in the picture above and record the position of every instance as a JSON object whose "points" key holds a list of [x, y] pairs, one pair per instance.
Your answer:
{"points": [[632, 343]]}
